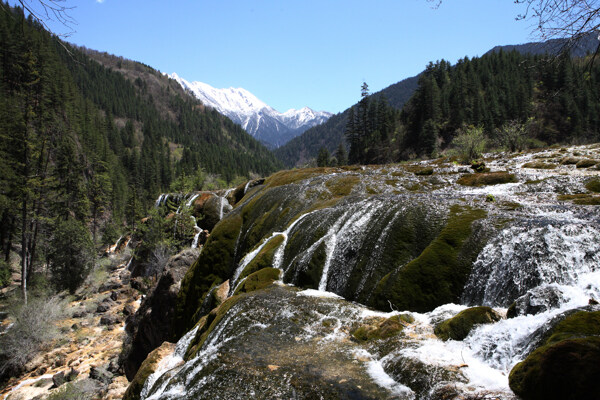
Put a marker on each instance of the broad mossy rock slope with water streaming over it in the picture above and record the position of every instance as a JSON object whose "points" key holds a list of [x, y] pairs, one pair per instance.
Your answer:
{"points": [[394, 239]]}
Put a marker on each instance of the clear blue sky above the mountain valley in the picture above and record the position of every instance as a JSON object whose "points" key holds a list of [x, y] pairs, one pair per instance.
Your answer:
{"points": [[292, 54]]}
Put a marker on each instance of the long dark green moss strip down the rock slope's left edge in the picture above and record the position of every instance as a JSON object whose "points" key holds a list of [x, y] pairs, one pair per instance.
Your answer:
{"points": [[214, 265]]}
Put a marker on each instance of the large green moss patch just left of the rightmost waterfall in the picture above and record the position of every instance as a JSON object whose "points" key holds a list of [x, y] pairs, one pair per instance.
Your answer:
{"points": [[437, 276]]}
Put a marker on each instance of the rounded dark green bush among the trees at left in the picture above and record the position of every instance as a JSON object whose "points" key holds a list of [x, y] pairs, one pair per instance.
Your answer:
{"points": [[71, 254]]}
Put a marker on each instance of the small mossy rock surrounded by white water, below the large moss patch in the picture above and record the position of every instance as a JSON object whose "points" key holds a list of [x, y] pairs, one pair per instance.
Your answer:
{"points": [[458, 327]]}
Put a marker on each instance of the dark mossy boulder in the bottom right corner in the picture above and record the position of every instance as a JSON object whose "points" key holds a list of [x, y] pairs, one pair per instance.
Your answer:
{"points": [[566, 365]]}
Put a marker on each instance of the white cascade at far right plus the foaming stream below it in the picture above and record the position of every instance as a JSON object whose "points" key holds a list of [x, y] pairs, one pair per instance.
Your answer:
{"points": [[558, 256]]}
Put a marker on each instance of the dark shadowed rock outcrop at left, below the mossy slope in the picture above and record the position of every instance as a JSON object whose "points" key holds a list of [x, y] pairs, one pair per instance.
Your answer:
{"points": [[152, 324]]}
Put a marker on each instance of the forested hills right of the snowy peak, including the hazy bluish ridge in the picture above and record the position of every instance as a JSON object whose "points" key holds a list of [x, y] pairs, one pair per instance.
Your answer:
{"points": [[530, 100]]}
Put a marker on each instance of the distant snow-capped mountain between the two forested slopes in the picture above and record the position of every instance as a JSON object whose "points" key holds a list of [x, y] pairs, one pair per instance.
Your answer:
{"points": [[257, 118]]}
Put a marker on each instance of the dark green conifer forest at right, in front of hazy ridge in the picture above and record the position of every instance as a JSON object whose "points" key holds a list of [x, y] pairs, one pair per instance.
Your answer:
{"points": [[549, 102]]}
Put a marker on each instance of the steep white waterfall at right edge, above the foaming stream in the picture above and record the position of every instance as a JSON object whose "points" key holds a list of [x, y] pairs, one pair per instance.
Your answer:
{"points": [[523, 257]]}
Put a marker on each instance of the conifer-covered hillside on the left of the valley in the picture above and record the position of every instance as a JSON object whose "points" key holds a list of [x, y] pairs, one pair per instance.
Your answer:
{"points": [[86, 146]]}
